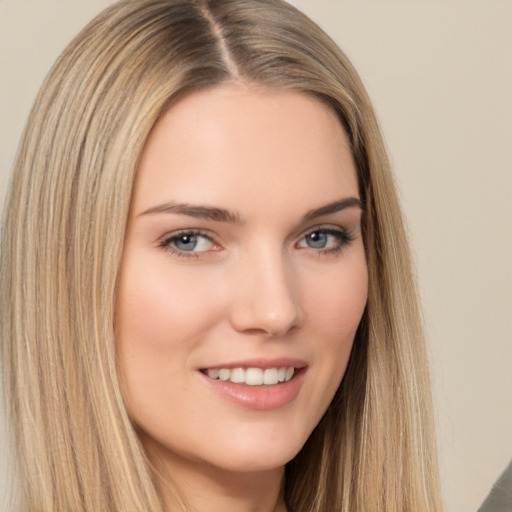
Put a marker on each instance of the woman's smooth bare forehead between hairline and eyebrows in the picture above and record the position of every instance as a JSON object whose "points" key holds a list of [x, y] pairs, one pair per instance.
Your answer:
{"points": [[232, 144]]}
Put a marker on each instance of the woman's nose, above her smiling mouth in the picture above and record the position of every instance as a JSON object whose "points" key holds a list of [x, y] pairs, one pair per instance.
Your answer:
{"points": [[266, 299]]}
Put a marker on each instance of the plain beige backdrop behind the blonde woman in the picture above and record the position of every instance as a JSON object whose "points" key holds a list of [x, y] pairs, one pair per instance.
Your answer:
{"points": [[440, 74]]}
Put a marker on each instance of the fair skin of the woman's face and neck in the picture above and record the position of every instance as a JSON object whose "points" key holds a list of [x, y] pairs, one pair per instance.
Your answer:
{"points": [[254, 286]]}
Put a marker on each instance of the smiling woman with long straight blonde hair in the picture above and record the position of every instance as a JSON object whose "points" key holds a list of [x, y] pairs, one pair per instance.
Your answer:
{"points": [[200, 188]]}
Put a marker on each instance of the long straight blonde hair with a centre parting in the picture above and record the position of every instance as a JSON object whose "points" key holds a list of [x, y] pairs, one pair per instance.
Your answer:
{"points": [[62, 241]]}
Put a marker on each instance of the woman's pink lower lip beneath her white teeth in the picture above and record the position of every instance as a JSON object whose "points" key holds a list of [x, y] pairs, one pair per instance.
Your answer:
{"points": [[261, 398]]}
